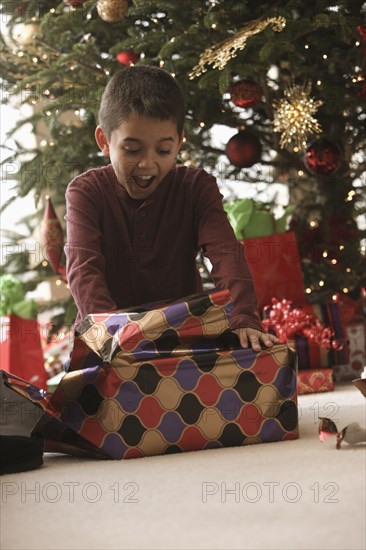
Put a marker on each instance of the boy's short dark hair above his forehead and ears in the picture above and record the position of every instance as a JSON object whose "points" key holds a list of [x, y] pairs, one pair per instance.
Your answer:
{"points": [[141, 90]]}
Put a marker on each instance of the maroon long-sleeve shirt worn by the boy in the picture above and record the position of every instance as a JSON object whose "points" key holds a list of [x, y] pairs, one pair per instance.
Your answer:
{"points": [[123, 252]]}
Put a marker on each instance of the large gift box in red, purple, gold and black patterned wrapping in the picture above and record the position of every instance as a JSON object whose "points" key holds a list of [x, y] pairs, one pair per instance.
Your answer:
{"points": [[167, 380]]}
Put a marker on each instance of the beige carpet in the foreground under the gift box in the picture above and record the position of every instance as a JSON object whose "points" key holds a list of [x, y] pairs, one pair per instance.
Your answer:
{"points": [[295, 494]]}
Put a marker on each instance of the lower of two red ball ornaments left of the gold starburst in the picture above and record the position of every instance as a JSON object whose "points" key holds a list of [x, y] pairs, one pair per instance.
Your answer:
{"points": [[244, 149]]}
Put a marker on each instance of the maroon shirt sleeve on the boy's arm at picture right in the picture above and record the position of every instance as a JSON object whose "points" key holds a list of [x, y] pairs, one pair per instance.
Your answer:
{"points": [[229, 267]]}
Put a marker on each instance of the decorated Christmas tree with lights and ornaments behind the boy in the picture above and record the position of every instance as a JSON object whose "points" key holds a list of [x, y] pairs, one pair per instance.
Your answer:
{"points": [[287, 77]]}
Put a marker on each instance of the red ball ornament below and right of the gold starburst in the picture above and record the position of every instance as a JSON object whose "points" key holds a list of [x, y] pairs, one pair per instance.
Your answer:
{"points": [[323, 157]]}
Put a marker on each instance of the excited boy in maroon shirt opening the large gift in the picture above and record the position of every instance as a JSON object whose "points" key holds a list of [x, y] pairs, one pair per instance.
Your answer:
{"points": [[134, 227]]}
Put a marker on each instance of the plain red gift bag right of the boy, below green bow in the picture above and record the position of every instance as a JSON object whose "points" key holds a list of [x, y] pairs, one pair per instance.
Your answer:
{"points": [[274, 263]]}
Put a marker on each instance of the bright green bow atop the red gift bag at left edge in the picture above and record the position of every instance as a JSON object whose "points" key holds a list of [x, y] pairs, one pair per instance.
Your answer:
{"points": [[12, 298]]}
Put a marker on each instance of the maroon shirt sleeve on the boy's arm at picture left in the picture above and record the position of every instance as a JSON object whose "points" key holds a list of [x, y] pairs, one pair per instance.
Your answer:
{"points": [[85, 260]]}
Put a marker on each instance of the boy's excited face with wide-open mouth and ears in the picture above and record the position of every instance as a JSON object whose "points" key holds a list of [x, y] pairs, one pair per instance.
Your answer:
{"points": [[142, 152]]}
